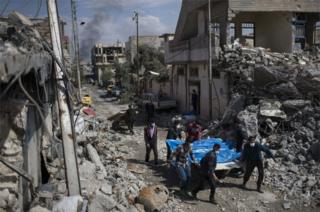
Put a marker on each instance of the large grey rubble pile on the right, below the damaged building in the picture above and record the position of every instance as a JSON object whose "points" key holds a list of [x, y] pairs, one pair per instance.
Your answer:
{"points": [[276, 96]]}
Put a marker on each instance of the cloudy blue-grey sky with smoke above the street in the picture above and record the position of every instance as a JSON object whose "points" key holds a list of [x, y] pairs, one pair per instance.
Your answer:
{"points": [[106, 21]]}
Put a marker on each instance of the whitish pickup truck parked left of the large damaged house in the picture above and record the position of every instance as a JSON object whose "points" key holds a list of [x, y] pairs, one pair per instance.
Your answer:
{"points": [[160, 103]]}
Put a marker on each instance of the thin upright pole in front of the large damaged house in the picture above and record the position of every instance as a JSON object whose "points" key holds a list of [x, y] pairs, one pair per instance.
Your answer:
{"points": [[210, 58]]}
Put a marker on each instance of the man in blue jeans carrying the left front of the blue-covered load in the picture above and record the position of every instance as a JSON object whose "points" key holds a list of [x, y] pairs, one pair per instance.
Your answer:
{"points": [[182, 155]]}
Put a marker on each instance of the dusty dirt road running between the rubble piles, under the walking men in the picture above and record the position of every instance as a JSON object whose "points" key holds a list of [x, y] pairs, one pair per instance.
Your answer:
{"points": [[230, 196]]}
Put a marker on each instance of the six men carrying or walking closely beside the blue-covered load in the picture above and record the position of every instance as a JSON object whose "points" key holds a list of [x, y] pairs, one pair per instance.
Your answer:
{"points": [[183, 158]]}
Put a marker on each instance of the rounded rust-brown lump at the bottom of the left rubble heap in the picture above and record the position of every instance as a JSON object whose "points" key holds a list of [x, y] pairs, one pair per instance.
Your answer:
{"points": [[154, 197]]}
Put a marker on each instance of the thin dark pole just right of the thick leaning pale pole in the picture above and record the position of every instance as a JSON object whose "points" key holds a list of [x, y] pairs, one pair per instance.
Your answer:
{"points": [[75, 33]]}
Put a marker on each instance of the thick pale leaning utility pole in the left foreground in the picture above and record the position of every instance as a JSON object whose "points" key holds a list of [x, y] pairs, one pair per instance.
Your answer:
{"points": [[70, 157]]}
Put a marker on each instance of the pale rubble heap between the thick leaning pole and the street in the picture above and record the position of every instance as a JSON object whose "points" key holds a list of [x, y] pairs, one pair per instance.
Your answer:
{"points": [[108, 182]]}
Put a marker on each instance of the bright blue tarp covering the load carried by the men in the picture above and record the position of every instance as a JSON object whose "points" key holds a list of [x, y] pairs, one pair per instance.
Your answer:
{"points": [[200, 148]]}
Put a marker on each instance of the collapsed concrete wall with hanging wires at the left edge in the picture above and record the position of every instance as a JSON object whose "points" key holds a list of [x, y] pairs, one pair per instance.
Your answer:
{"points": [[25, 73]]}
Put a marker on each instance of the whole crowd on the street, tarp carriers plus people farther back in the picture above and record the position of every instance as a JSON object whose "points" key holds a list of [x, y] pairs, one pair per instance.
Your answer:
{"points": [[182, 158]]}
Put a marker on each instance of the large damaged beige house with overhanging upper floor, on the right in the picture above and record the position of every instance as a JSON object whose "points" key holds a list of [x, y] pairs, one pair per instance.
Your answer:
{"points": [[282, 26]]}
